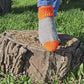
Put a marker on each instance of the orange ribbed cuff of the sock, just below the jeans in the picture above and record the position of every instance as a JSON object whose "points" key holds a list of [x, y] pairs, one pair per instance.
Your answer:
{"points": [[45, 11]]}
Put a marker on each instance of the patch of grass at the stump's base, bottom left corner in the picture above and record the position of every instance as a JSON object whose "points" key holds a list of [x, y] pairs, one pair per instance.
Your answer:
{"points": [[8, 79]]}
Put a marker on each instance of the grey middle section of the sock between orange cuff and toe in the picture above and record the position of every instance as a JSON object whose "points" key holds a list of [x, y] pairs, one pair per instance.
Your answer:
{"points": [[47, 30]]}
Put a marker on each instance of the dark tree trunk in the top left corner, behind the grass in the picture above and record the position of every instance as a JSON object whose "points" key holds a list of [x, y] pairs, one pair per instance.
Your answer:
{"points": [[5, 6]]}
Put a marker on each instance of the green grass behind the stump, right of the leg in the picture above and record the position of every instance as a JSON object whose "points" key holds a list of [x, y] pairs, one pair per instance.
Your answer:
{"points": [[70, 19]]}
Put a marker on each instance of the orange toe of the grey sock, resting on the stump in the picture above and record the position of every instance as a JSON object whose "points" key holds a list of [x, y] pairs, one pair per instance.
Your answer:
{"points": [[51, 45]]}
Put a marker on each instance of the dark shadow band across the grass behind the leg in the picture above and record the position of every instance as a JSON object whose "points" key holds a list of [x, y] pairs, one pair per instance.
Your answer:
{"points": [[63, 7]]}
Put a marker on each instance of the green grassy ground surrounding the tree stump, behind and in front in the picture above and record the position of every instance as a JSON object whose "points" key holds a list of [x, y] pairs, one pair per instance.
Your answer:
{"points": [[23, 16]]}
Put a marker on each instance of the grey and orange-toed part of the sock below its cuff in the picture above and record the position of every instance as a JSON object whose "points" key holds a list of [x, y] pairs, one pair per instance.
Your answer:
{"points": [[47, 34]]}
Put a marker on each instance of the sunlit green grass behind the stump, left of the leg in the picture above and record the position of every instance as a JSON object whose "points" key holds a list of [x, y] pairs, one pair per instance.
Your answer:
{"points": [[22, 17]]}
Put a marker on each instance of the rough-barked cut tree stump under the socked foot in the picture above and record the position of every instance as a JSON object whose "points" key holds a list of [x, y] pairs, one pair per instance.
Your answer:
{"points": [[22, 53]]}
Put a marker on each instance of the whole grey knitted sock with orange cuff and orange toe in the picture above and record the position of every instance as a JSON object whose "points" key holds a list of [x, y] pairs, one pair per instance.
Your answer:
{"points": [[47, 30]]}
